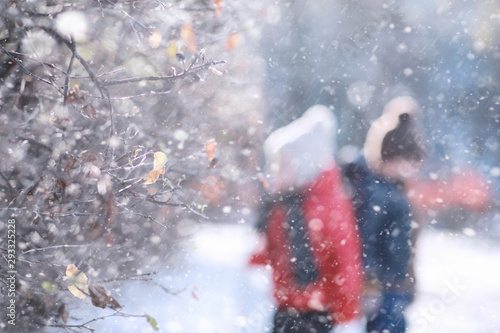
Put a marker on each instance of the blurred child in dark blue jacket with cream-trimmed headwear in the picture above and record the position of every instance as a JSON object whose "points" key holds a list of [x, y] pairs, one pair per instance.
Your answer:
{"points": [[392, 155]]}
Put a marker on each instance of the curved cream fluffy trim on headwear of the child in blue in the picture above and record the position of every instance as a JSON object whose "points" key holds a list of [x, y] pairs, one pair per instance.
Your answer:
{"points": [[388, 121]]}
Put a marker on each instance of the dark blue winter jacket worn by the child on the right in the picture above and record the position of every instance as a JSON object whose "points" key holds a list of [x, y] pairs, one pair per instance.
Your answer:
{"points": [[384, 220]]}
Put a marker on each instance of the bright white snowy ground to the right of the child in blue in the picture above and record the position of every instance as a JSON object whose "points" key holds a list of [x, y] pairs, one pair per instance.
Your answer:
{"points": [[458, 285]]}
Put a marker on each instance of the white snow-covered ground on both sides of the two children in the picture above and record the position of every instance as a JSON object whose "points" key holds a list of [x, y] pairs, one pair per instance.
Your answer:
{"points": [[216, 292]]}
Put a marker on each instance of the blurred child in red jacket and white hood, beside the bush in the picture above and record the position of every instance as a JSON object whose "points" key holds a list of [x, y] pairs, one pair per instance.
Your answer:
{"points": [[310, 237]]}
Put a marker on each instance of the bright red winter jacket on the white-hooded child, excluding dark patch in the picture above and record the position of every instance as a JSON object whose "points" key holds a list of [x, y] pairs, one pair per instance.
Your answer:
{"points": [[336, 249]]}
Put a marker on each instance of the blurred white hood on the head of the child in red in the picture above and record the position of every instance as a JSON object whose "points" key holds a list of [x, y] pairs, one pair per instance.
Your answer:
{"points": [[297, 153]]}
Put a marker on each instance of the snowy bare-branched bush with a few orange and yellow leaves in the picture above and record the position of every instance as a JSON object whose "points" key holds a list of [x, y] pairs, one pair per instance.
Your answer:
{"points": [[90, 91]]}
